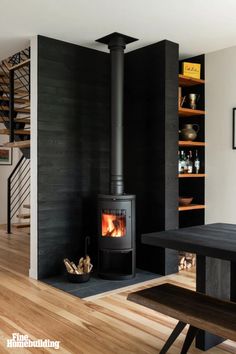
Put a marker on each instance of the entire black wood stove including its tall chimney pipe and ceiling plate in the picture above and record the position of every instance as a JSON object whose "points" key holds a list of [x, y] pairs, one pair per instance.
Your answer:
{"points": [[116, 211]]}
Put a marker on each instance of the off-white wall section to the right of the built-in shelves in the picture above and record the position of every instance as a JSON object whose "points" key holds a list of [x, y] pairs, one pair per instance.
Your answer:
{"points": [[220, 157]]}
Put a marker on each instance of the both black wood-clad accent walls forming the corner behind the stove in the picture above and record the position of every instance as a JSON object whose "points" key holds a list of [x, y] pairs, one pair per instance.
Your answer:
{"points": [[73, 148]]}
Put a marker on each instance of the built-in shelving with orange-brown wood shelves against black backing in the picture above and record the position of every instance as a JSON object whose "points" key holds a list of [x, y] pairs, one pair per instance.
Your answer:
{"points": [[193, 185]]}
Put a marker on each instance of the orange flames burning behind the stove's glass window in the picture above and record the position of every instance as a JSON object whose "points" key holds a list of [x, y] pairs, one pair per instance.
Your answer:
{"points": [[113, 223]]}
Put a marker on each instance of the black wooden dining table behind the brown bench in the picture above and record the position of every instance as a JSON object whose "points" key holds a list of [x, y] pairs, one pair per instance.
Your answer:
{"points": [[215, 248]]}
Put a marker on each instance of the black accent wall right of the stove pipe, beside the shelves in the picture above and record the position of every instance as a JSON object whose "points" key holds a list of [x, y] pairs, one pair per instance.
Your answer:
{"points": [[151, 137]]}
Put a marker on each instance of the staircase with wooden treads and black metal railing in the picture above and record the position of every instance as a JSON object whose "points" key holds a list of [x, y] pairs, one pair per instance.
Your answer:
{"points": [[15, 116]]}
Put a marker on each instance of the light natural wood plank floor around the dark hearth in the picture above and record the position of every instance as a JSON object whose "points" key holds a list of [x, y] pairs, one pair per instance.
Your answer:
{"points": [[104, 324]]}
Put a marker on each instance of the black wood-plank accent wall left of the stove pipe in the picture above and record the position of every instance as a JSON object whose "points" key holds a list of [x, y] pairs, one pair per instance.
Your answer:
{"points": [[73, 148]]}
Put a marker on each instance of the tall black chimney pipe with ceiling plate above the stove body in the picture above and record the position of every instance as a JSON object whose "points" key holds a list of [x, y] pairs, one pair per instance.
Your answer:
{"points": [[116, 43]]}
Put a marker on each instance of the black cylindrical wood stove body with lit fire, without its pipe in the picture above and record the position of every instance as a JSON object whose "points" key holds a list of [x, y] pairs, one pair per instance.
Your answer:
{"points": [[116, 243]]}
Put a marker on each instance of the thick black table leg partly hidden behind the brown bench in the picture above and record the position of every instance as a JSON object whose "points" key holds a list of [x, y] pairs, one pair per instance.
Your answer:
{"points": [[213, 278]]}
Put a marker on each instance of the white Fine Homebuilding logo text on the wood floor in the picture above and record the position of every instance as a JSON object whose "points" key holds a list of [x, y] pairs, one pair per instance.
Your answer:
{"points": [[22, 341]]}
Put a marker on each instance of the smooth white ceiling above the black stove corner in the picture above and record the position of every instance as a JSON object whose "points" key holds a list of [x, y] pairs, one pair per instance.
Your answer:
{"points": [[199, 26]]}
